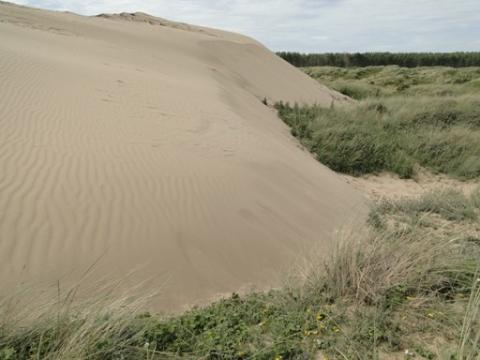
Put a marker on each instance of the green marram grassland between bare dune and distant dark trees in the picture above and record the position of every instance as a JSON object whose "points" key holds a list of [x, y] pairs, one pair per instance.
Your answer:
{"points": [[405, 118]]}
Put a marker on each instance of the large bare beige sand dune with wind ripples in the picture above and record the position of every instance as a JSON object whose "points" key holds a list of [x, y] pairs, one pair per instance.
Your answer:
{"points": [[133, 143]]}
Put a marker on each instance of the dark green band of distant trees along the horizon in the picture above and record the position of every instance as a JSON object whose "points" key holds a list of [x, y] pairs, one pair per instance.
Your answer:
{"points": [[453, 59]]}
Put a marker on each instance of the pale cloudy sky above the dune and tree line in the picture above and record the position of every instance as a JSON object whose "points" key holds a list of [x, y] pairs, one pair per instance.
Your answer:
{"points": [[316, 25]]}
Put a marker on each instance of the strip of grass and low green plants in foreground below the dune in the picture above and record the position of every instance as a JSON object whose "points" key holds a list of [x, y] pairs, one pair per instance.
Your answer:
{"points": [[406, 285]]}
